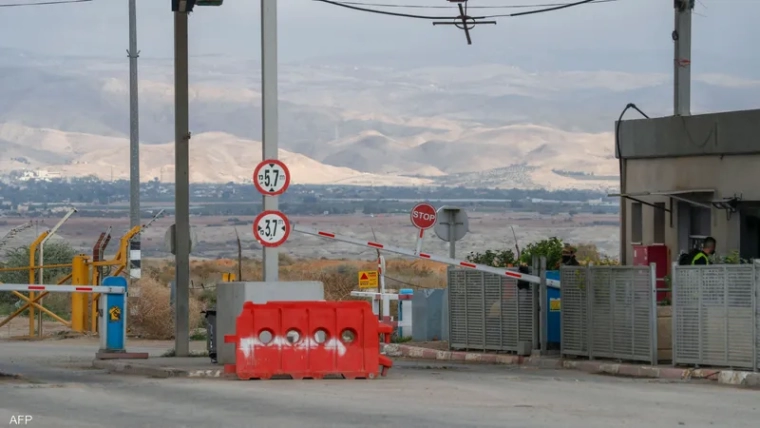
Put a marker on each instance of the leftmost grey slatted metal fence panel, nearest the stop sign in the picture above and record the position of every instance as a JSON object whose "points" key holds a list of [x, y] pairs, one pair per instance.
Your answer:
{"points": [[488, 312]]}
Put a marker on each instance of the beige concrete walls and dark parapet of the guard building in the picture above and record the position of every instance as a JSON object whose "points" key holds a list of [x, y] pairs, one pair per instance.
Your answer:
{"points": [[717, 151]]}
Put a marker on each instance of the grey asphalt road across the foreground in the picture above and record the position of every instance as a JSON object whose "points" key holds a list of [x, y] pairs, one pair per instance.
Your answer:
{"points": [[67, 395]]}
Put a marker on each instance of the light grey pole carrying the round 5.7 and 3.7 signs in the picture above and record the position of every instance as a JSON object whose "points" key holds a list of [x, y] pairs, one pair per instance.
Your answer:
{"points": [[269, 121]]}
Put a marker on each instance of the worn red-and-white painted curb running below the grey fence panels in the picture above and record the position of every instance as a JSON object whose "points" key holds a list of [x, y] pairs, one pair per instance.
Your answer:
{"points": [[725, 377]]}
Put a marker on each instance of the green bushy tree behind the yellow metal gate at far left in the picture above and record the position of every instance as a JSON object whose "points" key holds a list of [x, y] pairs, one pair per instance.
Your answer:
{"points": [[55, 253]]}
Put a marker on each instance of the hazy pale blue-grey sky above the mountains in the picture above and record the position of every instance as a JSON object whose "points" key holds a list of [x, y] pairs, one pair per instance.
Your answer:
{"points": [[598, 36]]}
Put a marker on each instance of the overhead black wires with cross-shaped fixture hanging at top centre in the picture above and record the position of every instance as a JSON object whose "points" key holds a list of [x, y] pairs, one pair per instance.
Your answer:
{"points": [[463, 20]]}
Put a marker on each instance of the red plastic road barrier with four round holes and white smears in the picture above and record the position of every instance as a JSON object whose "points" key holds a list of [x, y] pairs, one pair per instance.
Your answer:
{"points": [[308, 340]]}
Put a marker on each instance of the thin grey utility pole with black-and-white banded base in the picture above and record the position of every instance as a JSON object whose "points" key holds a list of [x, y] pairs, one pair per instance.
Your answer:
{"points": [[134, 144]]}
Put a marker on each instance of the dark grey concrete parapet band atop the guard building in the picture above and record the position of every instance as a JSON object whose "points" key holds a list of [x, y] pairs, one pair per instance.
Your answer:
{"points": [[726, 133]]}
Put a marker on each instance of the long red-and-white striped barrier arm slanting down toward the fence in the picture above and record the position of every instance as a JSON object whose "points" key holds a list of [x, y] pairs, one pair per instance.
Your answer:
{"points": [[425, 256]]}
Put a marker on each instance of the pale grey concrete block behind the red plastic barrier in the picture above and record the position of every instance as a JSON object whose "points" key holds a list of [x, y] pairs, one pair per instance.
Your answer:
{"points": [[230, 297]]}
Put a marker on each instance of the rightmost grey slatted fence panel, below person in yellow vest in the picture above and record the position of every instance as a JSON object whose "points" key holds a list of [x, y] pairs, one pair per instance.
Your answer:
{"points": [[716, 316]]}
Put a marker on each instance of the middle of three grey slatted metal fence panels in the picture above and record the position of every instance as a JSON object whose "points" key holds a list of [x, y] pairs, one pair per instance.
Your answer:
{"points": [[609, 312]]}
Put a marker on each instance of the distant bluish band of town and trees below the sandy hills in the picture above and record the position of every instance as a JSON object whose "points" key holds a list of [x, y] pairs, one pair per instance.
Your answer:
{"points": [[31, 194]]}
